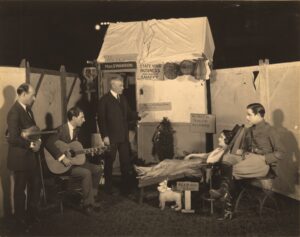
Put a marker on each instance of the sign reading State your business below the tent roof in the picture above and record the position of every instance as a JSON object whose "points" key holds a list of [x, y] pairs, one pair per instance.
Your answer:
{"points": [[151, 71]]}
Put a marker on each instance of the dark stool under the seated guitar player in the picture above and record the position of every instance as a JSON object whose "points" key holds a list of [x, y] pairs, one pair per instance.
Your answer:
{"points": [[66, 185]]}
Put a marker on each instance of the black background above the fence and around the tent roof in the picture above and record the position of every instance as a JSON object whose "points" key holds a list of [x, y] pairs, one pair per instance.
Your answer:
{"points": [[49, 34]]}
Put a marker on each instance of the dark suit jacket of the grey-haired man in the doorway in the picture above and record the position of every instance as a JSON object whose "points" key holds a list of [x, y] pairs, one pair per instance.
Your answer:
{"points": [[114, 117]]}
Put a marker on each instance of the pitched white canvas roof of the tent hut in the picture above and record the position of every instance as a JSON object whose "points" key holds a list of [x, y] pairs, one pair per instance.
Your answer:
{"points": [[158, 41]]}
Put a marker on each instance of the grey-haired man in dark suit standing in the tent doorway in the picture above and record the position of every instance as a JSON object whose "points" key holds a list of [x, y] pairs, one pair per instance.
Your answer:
{"points": [[114, 115]]}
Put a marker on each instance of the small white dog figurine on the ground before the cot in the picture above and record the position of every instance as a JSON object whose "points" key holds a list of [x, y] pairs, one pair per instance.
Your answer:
{"points": [[167, 195]]}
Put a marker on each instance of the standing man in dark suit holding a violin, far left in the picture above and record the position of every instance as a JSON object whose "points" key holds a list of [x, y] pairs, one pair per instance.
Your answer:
{"points": [[22, 159]]}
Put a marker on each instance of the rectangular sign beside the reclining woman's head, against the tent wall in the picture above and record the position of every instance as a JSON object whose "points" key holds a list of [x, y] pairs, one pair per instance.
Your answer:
{"points": [[205, 123]]}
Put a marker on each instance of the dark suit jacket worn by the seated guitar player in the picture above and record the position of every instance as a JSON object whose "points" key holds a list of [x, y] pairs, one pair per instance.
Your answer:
{"points": [[63, 134]]}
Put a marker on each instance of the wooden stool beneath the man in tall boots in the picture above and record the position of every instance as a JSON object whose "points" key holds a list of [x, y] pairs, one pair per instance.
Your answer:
{"points": [[266, 184]]}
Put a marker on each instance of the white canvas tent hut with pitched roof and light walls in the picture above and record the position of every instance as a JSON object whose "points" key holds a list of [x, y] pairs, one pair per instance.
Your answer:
{"points": [[144, 48]]}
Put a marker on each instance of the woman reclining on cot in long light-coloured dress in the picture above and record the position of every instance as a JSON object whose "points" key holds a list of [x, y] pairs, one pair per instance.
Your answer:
{"points": [[192, 164]]}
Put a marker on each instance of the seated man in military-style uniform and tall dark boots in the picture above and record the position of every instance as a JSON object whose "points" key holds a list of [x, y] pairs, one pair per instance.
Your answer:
{"points": [[261, 149]]}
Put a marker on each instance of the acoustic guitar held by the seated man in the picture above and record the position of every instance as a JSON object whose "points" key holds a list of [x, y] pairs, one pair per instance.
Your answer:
{"points": [[77, 155]]}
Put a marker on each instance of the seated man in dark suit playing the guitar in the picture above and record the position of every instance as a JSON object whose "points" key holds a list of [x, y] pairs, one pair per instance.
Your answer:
{"points": [[89, 173]]}
